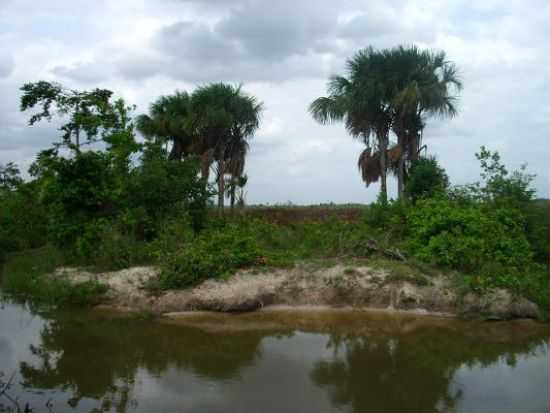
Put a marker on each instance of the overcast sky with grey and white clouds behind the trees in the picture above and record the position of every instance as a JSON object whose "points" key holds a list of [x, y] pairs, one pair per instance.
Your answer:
{"points": [[283, 51]]}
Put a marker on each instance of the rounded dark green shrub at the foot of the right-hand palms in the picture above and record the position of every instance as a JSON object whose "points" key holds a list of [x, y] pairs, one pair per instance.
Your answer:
{"points": [[426, 179]]}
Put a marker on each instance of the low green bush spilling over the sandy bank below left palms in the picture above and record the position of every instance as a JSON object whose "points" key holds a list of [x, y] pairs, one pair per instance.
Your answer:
{"points": [[211, 254]]}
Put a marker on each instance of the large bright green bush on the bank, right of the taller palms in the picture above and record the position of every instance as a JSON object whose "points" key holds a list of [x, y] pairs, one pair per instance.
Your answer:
{"points": [[466, 236]]}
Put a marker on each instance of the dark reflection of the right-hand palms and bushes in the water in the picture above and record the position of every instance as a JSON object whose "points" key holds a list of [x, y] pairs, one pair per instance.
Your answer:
{"points": [[413, 371]]}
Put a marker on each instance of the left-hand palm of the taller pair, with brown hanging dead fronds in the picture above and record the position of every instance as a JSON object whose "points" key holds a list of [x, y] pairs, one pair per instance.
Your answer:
{"points": [[361, 101]]}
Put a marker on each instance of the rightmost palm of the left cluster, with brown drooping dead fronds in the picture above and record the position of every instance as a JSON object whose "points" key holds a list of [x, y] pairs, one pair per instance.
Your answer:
{"points": [[224, 119]]}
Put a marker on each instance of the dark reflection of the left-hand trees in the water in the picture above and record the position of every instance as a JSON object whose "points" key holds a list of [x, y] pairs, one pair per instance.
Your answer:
{"points": [[98, 358]]}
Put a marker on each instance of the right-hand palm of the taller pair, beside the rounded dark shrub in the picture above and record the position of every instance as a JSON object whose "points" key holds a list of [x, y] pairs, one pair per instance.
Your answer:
{"points": [[424, 84]]}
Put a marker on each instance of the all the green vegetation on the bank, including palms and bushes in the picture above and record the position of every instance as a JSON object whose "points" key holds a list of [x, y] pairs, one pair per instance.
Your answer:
{"points": [[105, 198]]}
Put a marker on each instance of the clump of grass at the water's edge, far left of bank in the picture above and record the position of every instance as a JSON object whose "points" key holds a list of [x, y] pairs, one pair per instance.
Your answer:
{"points": [[25, 275]]}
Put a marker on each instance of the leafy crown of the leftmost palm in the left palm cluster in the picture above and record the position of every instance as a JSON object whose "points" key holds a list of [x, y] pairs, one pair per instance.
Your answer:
{"points": [[168, 121]]}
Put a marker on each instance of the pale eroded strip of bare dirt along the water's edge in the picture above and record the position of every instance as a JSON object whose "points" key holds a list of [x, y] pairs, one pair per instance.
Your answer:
{"points": [[338, 286]]}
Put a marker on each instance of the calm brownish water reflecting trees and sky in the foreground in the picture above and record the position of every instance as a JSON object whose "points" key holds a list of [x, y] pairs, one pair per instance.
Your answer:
{"points": [[309, 362]]}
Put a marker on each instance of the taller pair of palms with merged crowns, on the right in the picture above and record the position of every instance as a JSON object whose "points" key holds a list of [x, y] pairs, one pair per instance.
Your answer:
{"points": [[392, 89]]}
